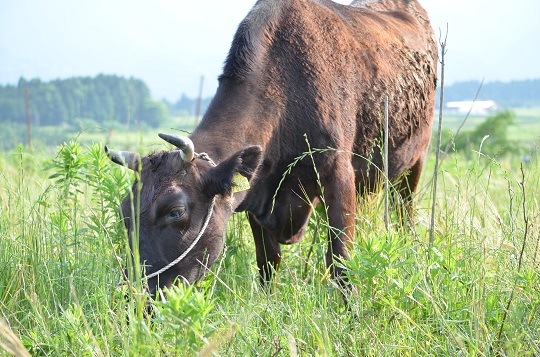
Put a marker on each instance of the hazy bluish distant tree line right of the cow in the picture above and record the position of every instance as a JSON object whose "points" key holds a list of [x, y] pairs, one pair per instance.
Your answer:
{"points": [[525, 93]]}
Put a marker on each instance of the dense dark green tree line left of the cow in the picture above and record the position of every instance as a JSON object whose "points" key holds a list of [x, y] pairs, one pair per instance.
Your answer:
{"points": [[103, 99]]}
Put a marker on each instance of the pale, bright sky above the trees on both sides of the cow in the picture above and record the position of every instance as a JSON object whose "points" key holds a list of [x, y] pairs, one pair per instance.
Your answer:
{"points": [[170, 44]]}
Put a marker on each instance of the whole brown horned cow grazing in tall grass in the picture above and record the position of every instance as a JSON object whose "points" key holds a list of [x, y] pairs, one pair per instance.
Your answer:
{"points": [[299, 73]]}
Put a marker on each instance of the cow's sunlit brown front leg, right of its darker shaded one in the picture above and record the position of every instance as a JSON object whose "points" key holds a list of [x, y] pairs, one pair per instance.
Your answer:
{"points": [[340, 201]]}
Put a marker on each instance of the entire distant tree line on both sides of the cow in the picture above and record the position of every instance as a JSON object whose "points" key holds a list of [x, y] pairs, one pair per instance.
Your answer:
{"points": [[107, 100]]}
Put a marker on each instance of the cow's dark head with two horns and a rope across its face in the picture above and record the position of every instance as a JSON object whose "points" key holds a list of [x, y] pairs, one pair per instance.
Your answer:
{"points": [[180, 207]]}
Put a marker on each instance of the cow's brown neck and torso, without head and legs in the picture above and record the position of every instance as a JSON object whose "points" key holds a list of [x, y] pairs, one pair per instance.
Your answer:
{"points": [[319, 71]]}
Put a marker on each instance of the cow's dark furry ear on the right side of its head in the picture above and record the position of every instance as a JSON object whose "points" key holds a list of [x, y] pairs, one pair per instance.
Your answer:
{"points": [[234, 173]]}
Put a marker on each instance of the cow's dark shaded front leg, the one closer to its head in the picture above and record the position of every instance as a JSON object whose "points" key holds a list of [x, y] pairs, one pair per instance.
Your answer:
{"points": [[267, 250]]}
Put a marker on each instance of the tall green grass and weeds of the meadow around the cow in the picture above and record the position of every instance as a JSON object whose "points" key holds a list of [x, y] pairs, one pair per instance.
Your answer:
{"points": [[466, 295]]}
